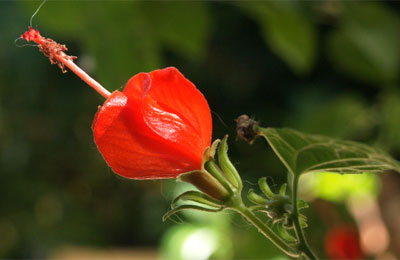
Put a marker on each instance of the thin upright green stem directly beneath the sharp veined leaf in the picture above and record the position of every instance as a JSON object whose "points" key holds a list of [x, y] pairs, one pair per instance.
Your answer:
{"points": [[302, 242]]}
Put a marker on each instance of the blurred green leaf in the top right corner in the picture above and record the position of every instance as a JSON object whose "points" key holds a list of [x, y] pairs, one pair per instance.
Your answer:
{"points": [[364, 44]]}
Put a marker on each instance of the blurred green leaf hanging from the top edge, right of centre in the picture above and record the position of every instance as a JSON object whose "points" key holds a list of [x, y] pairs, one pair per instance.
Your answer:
{"points": [[287, 30]]}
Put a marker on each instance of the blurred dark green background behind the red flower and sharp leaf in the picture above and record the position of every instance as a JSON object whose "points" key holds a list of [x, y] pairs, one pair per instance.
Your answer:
{"points": [[326, 67]]}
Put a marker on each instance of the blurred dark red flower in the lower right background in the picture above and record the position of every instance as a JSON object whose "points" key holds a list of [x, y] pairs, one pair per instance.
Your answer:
{"points": [[343, 243]]}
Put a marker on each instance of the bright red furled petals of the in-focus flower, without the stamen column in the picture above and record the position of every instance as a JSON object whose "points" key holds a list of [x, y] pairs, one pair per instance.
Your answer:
{"points": [[158, 127]]}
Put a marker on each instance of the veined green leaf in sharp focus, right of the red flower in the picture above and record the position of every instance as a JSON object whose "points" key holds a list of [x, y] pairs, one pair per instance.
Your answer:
{"points": [[305, 153]]}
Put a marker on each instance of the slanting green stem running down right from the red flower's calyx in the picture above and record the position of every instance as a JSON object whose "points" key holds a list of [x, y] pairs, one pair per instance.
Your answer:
{"points": [[239, 207]]}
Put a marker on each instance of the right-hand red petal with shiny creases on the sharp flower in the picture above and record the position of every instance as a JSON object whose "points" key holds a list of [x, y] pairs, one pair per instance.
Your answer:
{"points": [[174, 109]]}
